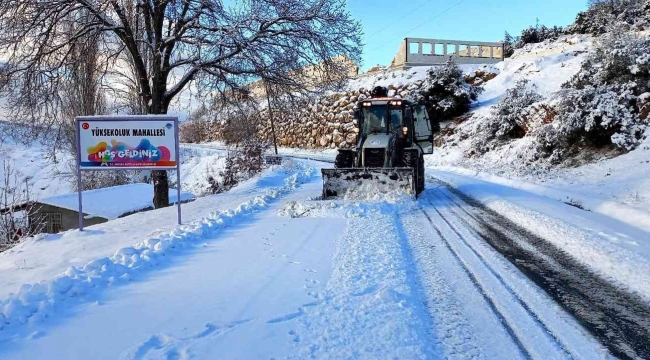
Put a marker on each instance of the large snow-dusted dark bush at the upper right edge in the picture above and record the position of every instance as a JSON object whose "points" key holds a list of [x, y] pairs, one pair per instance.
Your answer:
{"points": [[602, 104]]}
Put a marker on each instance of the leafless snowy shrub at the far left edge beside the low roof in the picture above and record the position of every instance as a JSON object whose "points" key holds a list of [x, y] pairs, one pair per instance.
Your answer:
{"points": [[17, 211]]}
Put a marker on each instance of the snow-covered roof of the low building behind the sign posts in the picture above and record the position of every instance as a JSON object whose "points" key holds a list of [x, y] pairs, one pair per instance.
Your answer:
{"points": [[113, 202]]}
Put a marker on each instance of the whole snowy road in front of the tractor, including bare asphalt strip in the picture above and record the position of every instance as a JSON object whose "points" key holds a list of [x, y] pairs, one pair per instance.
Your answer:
{"points": [[290, 276]]}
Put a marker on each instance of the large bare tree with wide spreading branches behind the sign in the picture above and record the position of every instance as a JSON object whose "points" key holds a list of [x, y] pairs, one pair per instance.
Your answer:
{"points": [[171, 45]]}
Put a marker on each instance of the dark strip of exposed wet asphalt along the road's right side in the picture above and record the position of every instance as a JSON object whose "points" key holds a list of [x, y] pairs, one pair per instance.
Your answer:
{"points": [[619, 320]]}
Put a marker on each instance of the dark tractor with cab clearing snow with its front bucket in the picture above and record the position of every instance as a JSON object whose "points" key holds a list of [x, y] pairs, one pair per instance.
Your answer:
{"points": [[394, 135]]}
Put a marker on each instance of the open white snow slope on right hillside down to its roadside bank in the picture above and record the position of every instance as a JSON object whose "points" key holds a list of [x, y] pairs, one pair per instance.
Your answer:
{"points": [[595, 180]]}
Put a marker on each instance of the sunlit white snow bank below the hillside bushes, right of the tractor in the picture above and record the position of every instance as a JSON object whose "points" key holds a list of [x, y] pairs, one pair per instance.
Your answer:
{"points": [[616, 187]]}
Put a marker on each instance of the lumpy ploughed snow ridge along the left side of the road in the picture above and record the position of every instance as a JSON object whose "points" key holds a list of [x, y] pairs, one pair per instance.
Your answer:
{"points": [[35, 302]]}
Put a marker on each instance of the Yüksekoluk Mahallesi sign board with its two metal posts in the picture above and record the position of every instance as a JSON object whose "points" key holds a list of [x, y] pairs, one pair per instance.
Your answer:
{"points": [[135, 142]]}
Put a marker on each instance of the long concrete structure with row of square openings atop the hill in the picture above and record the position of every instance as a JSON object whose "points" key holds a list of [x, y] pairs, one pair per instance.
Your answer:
{"points": [[428, 52]]}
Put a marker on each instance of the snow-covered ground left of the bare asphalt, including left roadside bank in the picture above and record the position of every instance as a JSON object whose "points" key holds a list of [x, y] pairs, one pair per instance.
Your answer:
{"points": [[266, 271]]}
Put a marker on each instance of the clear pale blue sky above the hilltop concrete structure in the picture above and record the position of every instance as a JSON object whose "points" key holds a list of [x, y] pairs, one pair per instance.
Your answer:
{"points": [[386, 22]]}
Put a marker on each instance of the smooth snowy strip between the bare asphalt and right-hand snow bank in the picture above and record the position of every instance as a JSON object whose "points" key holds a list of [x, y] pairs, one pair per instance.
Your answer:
{"points": [[615, 249]]}
